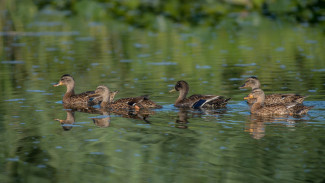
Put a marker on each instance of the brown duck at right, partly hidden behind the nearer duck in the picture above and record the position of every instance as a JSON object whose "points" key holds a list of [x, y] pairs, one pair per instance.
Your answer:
{"points": [[254, 83]]}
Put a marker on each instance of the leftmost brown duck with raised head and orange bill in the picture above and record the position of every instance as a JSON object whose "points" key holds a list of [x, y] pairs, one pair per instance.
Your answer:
{"points": [[70, 98]]}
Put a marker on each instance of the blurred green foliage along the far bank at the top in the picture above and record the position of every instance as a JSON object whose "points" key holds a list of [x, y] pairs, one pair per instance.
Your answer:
{"points": [[144, 13]]}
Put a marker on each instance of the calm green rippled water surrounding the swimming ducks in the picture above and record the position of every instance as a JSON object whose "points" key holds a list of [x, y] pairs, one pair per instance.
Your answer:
{"points": [[167, 145]]}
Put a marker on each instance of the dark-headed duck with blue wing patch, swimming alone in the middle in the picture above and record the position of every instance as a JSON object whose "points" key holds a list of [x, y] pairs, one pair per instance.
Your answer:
{"points": [[197, 101]]}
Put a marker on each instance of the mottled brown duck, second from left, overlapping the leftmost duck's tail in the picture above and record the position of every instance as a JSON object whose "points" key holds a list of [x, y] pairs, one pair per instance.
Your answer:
{"points": [[123, 103]]}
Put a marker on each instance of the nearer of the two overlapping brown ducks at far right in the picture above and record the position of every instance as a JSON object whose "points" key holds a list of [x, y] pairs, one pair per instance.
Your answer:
{"points": [[261, 108]]}
